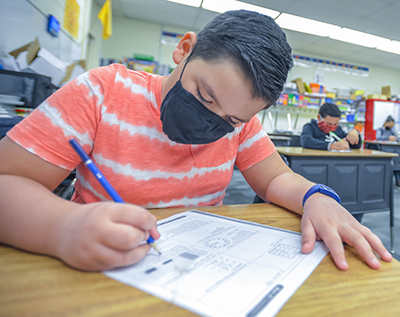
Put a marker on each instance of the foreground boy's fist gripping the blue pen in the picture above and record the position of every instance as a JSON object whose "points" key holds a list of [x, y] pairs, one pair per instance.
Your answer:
{"points": [[105, 235]]}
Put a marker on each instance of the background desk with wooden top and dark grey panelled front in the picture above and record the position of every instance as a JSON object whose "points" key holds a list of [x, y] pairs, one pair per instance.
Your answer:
{"points": [[362, 178]]}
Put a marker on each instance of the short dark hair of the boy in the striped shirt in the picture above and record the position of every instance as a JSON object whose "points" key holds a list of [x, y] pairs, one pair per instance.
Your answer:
{"points": [[255, 43]]}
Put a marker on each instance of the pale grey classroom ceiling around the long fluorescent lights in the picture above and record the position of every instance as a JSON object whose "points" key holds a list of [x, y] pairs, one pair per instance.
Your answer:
{"points": [[377, 17]]}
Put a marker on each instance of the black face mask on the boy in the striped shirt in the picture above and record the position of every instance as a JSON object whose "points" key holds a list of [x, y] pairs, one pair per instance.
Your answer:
{"points": [[186, 120]]}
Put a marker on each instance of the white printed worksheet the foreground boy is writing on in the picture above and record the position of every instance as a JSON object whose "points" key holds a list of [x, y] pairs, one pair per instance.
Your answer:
{"points": [[218, 266]]}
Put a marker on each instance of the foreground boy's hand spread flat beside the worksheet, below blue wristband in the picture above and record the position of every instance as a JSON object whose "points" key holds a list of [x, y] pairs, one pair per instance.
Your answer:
{"points": [[324, 219]]}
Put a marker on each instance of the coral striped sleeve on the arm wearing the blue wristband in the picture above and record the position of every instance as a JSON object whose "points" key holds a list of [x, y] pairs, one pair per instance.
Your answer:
{"points": [[254, 145]]}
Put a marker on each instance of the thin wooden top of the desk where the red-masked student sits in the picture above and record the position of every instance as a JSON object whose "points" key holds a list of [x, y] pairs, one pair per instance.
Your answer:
{"points": [[300, 151]]}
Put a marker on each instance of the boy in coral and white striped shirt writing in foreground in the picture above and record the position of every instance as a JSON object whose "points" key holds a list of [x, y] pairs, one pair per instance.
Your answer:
{"points": [[162, 142]]}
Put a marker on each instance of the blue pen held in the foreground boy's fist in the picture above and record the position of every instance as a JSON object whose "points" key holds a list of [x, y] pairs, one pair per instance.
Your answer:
{"points": [[103, 181]]}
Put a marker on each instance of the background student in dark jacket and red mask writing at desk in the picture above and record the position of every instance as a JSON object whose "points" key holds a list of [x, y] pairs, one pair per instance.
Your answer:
{"points": [[316, 134]]}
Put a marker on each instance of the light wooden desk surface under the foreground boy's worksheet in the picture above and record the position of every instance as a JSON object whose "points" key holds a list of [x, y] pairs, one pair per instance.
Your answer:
{"points": [[35, 285]]}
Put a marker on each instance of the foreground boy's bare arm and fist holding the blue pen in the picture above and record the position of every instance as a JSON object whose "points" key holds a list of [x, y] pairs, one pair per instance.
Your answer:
{"points": [[94, 237]]}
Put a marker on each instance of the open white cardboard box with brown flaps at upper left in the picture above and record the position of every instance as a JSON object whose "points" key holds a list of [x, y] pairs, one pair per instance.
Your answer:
{"points": [[33, 58]]}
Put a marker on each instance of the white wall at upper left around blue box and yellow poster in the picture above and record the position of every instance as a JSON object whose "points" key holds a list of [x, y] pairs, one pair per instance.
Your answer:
{"points": [[24, 20]]}
